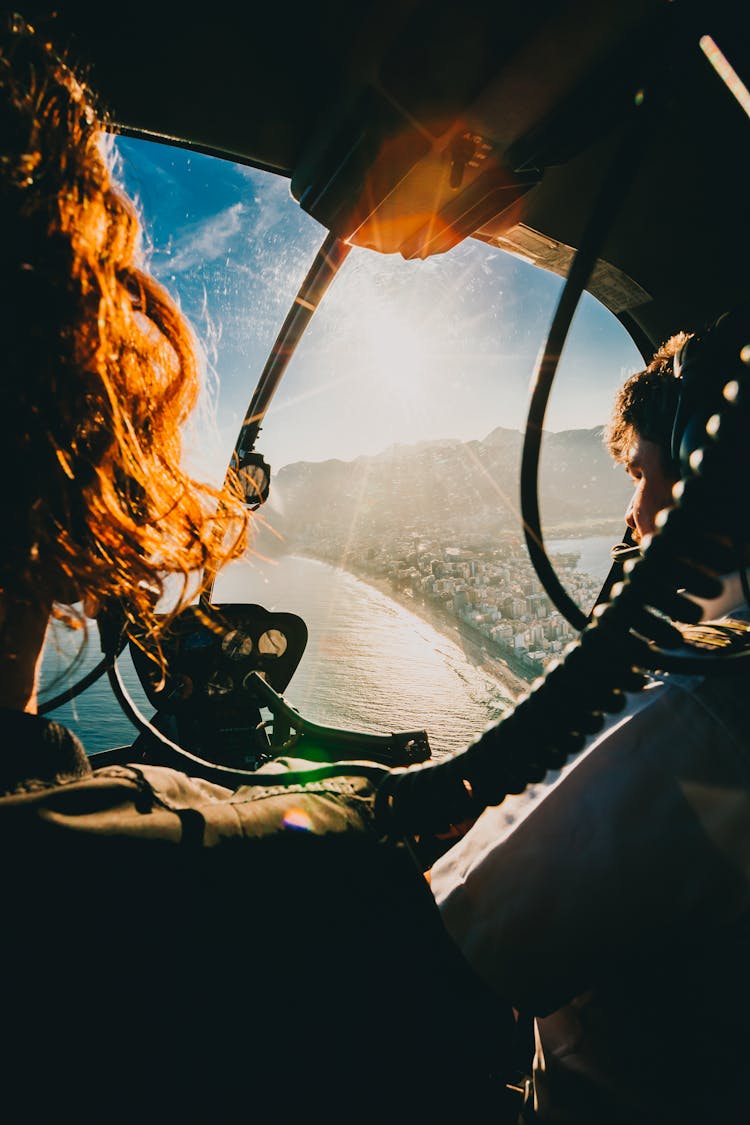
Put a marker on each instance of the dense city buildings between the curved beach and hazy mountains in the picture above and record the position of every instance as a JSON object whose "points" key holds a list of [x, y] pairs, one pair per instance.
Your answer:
{"points": [[490, 590]]}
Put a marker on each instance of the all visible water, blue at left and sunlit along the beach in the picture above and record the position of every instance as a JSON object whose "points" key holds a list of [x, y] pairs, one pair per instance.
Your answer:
{"points": [[371, 664]]}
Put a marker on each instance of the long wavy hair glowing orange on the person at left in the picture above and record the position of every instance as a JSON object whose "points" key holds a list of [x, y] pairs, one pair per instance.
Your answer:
{"points": [[100, 367]]}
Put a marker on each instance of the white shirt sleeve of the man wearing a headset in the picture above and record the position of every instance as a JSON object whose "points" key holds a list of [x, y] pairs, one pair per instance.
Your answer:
{"points": [[634, 841]]}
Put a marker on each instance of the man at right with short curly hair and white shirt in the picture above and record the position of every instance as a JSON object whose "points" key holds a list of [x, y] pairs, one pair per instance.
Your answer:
{"points": [[617, 908]]}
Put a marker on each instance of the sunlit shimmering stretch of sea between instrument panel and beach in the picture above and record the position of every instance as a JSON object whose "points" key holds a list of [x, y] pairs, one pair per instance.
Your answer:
{"points": [[371, 664]]}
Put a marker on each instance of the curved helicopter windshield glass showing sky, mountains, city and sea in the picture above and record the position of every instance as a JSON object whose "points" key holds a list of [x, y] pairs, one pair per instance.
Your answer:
{"points": [[394, 439]]}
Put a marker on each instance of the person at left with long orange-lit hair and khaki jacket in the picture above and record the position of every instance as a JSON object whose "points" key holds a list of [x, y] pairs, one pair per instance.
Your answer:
{"points": [[171, 950]]}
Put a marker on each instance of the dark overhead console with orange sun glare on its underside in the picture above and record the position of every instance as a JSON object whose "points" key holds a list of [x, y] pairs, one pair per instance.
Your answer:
{"points": [[433, 145]]}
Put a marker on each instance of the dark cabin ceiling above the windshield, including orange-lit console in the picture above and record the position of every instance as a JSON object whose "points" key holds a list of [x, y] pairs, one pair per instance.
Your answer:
{"points": [[408, 127]]}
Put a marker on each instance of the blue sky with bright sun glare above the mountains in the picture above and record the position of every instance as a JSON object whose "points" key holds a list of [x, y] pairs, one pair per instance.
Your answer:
{"points": [[399, 352]]}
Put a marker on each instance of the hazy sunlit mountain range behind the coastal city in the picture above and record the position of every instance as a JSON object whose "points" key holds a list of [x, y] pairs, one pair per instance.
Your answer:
{"points": [[453, 485]]}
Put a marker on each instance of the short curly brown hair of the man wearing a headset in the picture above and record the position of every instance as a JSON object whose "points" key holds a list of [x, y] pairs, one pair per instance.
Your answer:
{"points": [[646, 406]]}
